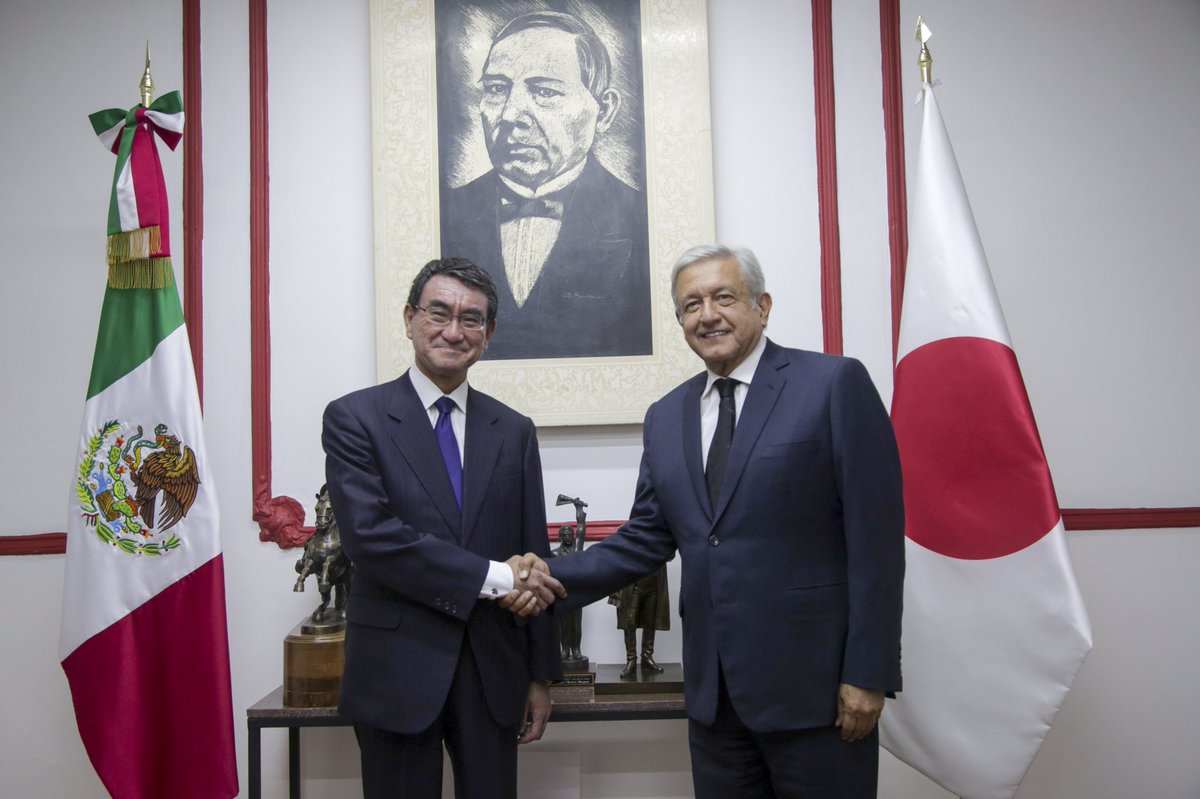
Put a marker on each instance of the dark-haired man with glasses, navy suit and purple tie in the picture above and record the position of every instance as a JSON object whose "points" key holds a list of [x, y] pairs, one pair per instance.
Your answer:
{"points": [[434, 485]]}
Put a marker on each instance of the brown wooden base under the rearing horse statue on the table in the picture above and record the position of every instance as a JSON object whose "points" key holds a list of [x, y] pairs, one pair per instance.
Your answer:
{"points": [[314, 657]]}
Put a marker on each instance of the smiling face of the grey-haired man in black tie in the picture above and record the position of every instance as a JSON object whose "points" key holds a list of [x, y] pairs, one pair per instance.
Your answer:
{"points": [[721, 321]]}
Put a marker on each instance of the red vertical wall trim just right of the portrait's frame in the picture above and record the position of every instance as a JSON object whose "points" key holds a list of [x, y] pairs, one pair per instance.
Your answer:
{"points": [[827, 176]]}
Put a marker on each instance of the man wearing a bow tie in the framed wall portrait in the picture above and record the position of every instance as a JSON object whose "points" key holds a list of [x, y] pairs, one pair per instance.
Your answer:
{"points": [[565, 239]]}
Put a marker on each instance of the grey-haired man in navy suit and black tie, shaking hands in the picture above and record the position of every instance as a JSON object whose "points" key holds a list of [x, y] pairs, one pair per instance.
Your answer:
{"points": [[788, 513]]}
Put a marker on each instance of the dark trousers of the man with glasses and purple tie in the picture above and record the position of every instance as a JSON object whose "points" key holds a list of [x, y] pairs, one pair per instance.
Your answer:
{"points": [[483, 754]]}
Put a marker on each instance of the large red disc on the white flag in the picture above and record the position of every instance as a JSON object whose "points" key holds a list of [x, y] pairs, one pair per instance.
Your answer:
{"points": [[976, 480]]}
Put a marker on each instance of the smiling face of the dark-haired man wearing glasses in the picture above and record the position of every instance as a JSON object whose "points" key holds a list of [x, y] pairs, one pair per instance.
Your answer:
{"points": [[445, 355]]}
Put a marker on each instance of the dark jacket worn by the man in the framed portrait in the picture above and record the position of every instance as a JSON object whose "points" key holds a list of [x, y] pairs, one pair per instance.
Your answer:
{"points": [[593, 296]]}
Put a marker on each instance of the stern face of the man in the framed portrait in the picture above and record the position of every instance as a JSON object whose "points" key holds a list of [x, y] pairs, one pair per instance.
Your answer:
{"points": [[539, 119]]}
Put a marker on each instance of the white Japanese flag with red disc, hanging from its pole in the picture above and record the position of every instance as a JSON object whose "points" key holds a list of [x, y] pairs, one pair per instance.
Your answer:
{"points": [[995, 628]]}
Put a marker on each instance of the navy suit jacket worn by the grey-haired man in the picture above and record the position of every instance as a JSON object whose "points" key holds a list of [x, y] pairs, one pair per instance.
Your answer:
{"points": [[795, 581]]}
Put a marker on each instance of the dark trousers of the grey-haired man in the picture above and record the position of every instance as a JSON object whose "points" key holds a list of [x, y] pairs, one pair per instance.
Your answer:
{"points": [[730, 761]]}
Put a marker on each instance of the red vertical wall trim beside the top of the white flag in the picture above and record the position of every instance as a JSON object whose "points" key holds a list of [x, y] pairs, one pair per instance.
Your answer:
{"points": [[893, 137]]}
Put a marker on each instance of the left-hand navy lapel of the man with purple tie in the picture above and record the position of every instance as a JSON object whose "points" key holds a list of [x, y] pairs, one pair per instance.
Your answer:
{"points": [[413, 436]]}
